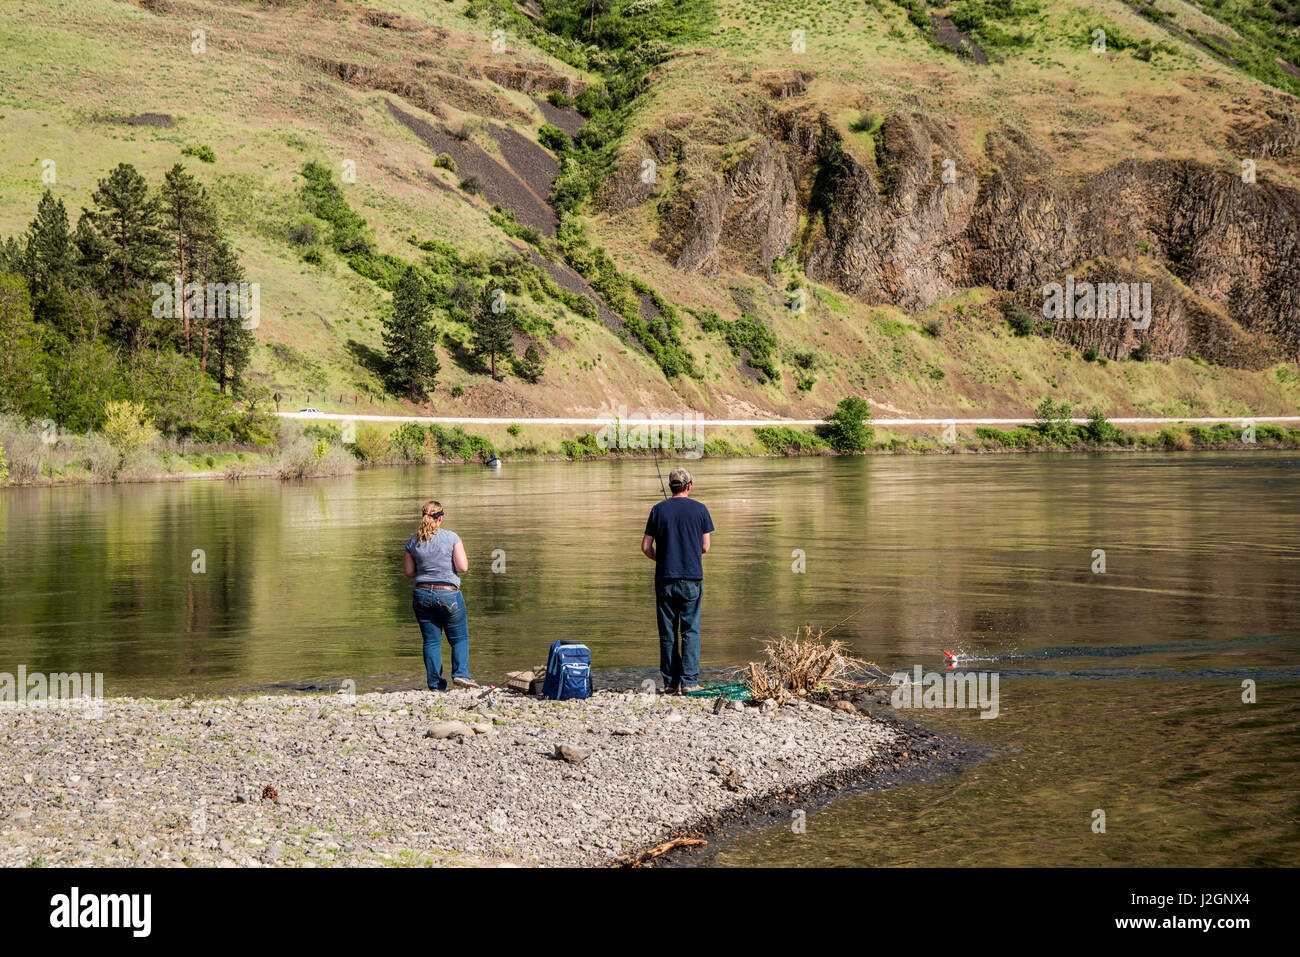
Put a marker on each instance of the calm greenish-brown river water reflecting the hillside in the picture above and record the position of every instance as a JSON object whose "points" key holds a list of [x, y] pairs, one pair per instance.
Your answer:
{"points": [[1119, 691]]}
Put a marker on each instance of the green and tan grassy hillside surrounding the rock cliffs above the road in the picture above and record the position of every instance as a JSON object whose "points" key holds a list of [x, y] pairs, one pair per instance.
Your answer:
{"points": [[384, 89]]}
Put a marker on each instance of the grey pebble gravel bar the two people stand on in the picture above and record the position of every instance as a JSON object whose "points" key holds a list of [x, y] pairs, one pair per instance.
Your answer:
{"points": [[411, 778]]}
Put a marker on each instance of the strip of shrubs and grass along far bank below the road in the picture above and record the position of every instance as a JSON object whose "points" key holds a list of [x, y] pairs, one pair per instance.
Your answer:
{"points": [[128, 449]]}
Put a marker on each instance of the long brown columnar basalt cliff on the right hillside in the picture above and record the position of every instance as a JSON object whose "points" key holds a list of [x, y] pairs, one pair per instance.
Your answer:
{"points": [[917, 219]]}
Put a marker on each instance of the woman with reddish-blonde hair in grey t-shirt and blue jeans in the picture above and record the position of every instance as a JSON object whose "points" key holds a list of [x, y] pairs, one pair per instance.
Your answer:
{"points": [[436, 558]]}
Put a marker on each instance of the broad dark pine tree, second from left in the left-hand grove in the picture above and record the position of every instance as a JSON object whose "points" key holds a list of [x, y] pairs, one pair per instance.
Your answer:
{"points": [[127, 218]]}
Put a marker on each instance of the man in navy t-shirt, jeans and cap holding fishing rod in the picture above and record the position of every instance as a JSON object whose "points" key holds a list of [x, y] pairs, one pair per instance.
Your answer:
{"points": [[675, 540]]}
